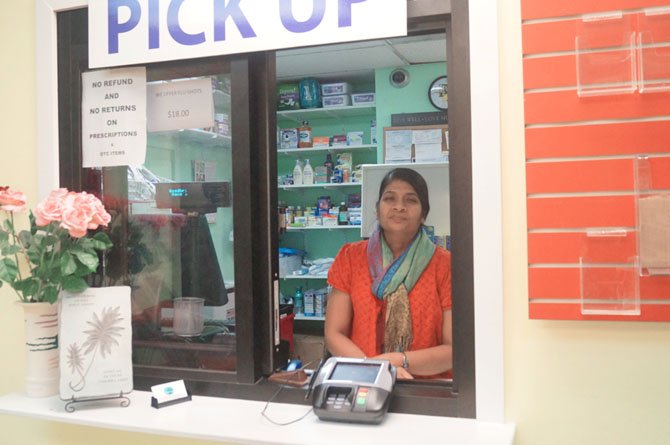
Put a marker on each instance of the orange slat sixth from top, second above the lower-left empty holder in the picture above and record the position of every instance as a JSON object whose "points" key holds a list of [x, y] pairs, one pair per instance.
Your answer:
{"points": [[580, 176]]}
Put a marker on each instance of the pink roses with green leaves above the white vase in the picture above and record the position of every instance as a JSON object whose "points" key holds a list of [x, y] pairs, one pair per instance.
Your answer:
{"points": [[56, 253]]}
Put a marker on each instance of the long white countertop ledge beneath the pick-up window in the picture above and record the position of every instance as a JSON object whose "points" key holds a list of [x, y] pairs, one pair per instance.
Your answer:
{"points": [[240, 421]]}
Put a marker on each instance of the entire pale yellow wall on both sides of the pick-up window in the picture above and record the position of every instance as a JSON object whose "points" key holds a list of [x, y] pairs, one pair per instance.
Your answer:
{"points": [[566, 382]]}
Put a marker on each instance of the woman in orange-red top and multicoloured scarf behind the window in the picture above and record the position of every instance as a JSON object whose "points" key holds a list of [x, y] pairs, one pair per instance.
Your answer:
{"points": [[391, 294]]}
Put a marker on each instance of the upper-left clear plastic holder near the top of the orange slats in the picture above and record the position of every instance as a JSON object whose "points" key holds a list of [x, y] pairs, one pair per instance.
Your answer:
{"points": [[605, 55]]}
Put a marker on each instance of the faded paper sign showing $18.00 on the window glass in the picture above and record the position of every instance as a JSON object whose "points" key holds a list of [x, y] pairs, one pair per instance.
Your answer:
{"points": [[180, 104]]}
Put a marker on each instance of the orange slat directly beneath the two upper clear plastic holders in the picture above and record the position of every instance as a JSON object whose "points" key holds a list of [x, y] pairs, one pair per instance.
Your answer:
{"points": [[566, 106]]}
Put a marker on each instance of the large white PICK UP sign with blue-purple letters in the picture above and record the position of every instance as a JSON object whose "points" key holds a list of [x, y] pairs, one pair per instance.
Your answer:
{"points": [[126, 32]]}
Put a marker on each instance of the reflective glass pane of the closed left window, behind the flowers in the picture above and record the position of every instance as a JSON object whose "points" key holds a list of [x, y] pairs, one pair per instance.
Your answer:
{"points": [[179, 256]]}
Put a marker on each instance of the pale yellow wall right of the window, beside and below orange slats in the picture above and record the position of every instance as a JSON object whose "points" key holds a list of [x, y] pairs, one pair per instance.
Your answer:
{"points": [[568, 382]]}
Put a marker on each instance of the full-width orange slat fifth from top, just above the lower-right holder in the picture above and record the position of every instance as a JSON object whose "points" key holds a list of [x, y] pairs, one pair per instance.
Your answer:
{"points": [[598, 140]]}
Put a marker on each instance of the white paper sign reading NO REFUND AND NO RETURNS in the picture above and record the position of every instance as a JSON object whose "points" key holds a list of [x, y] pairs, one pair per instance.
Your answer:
{"points": [[113, 117]]}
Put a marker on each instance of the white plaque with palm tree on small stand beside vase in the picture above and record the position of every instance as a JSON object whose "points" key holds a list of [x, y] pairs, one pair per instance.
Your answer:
{"points": [[95, 343]]}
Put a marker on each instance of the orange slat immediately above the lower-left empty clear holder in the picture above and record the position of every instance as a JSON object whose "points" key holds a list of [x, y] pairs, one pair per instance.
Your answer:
{"points": [[580, 212]]}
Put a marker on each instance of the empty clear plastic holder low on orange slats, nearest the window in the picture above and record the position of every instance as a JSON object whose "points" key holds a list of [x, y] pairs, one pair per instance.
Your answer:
{"points": [[607, 287]]}
